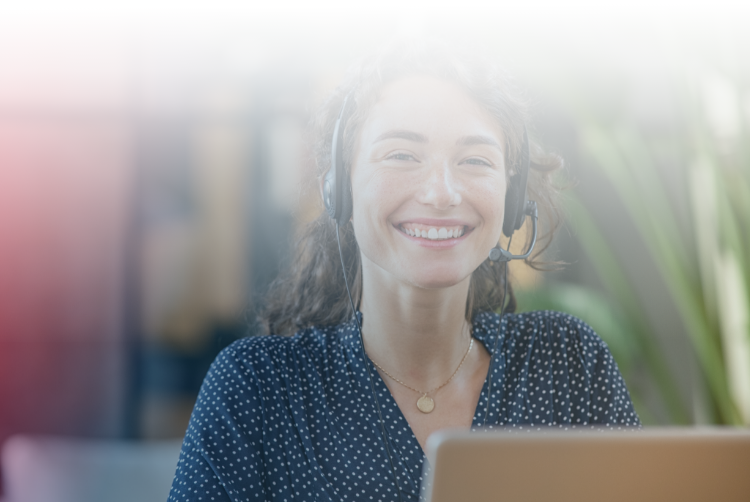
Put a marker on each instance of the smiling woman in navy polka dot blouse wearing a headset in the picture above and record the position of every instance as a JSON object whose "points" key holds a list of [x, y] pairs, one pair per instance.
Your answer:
{"points": [[338, 407]]}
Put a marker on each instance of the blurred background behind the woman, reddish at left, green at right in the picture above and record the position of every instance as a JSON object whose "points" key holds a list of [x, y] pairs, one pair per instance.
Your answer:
{"points": [[153, 169]]}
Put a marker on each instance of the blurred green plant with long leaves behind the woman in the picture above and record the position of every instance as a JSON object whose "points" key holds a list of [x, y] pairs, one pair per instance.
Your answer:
{"points": [[706, 270]]}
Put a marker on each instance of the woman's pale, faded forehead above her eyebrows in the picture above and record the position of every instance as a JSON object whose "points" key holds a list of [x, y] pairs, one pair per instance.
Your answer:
{"points": [[437, 108]]}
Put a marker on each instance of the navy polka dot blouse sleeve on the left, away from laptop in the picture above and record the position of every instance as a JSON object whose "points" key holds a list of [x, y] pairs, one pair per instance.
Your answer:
{"points": [[222, 455]]}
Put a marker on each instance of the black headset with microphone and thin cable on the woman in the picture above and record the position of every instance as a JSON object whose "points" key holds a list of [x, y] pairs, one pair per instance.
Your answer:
{"points": [[337, 198]]}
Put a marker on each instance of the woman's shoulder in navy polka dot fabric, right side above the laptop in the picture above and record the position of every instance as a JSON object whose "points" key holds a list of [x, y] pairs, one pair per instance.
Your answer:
{"points": [[552, 352]]}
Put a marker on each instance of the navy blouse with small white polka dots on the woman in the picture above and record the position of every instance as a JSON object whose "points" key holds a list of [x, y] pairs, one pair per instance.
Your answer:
{"points": [[292, 418]]}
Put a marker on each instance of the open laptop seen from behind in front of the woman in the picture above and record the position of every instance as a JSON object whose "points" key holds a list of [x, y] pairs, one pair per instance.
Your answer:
{"points": [[557, 465]]}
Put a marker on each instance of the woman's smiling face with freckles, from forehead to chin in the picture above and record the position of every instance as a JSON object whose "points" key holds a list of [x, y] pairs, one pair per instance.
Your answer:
{"points": [[428, 182]]}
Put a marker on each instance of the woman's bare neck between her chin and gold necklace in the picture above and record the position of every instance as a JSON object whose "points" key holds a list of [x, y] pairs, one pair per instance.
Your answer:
{"points": [[418, 335]]}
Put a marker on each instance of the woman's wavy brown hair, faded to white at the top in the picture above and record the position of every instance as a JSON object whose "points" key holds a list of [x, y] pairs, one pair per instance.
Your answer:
{"points": [[311, 292]]}
